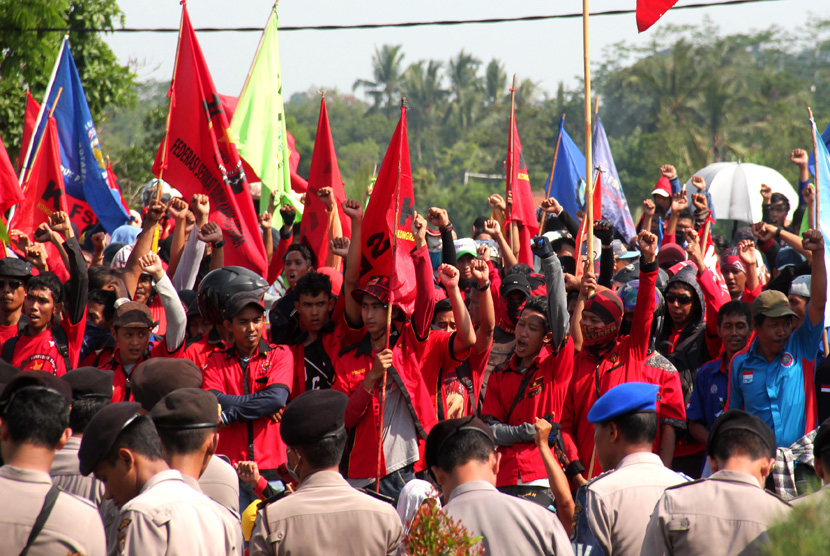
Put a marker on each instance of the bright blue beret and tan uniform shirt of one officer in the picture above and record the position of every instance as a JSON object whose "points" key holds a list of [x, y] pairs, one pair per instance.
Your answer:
{"points": [[612, 510]]}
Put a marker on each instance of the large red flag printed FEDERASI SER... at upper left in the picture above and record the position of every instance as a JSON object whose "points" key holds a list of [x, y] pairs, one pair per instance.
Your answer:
{"points": [[197, 155]]}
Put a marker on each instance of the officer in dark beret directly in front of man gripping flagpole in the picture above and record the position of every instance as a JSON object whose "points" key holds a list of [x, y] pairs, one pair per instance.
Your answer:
{"points": [[325, 515]]}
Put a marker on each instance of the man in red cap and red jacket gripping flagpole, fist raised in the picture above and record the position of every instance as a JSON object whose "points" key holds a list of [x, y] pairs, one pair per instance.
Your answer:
{"points": [[409, 414]]}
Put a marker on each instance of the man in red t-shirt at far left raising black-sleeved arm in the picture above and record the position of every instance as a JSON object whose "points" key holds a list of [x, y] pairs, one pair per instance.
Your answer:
{"points": [[42, 345]]}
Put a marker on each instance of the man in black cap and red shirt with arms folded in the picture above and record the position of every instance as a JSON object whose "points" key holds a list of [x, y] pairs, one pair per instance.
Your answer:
{"points": [[252, 382]]}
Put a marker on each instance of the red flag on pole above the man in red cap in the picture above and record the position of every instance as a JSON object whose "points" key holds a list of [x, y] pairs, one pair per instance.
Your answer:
{"points": [[381, 220]]}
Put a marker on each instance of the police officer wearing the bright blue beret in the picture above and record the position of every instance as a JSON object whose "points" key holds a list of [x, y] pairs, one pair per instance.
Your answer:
{"points": [[612, 510]]}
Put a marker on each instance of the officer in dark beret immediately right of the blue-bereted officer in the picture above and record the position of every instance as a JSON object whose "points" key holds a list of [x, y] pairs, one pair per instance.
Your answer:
{"points": [[729, 512]]}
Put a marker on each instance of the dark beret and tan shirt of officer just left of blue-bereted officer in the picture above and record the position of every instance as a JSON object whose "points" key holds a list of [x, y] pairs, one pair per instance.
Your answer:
{"points": [[508, 525]]}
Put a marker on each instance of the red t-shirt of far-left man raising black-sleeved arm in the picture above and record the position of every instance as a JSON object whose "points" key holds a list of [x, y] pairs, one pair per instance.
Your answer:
{"points": [[39, 353]]}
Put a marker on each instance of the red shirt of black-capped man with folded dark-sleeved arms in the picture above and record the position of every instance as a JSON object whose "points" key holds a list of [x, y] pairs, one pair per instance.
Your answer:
{"points": [[271, 366]]}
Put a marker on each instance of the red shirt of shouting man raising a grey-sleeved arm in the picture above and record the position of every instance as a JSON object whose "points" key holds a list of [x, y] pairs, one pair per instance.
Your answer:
{"points": [[544, 396]]}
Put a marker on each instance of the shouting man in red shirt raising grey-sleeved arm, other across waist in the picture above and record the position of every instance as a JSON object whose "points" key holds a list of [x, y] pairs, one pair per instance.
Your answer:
{"points": [[532, 386]]}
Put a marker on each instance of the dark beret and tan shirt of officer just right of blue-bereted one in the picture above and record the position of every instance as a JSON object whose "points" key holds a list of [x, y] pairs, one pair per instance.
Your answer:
{"points": [[728, 513]]}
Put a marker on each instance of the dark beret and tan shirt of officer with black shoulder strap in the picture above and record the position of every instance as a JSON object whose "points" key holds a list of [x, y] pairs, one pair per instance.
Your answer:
{"points": [[72, 525]]}
